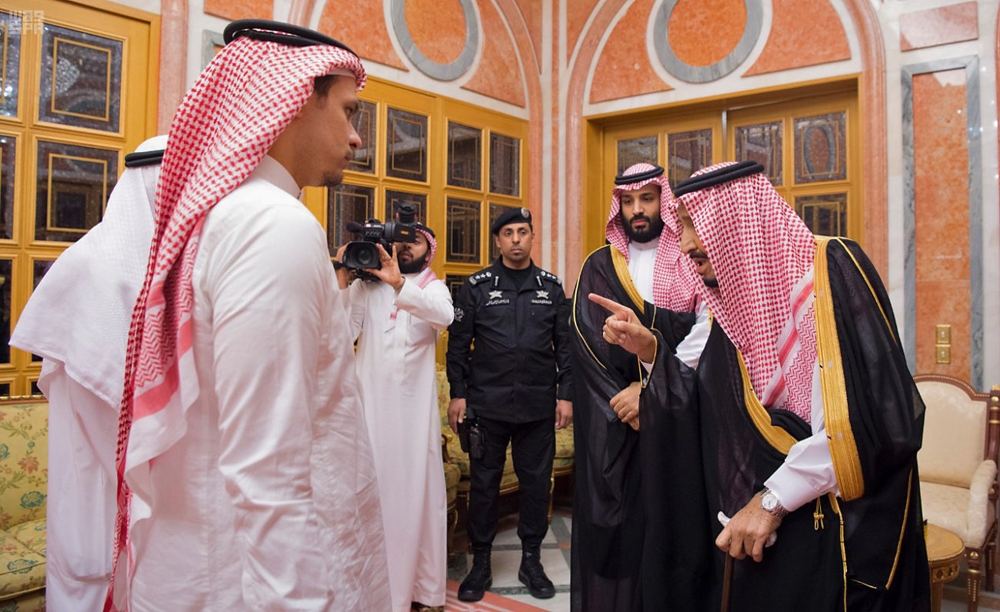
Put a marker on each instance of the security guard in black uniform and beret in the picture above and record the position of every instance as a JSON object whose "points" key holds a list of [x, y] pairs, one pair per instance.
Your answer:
{"points": [[515, 385]]}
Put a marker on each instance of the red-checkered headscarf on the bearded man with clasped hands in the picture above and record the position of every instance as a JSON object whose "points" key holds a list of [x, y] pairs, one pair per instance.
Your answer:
{"points": [[672, 289]]}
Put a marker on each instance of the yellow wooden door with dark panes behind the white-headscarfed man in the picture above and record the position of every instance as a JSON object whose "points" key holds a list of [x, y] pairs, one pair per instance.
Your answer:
{"points": [[78, 93]]}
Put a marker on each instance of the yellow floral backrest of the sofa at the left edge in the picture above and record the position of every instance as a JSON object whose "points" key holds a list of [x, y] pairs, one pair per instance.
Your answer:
{"points": [[24, 463]]}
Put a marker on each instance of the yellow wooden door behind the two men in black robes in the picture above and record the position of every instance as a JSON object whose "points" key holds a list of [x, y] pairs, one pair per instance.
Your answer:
{"points": [[807, 140]]}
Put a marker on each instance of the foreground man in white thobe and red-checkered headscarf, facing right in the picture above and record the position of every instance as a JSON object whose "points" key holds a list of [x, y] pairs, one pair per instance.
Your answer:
{"points": [[251, 476]]}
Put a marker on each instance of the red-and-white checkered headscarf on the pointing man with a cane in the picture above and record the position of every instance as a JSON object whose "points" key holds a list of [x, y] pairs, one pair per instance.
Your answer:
{"points": [[762, 255]]}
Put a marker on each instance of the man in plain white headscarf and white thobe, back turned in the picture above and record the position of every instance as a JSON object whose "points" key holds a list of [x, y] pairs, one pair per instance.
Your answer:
{"points": [[77, 321]]}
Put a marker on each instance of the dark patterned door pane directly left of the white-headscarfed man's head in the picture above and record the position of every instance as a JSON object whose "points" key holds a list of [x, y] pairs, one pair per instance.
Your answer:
{"points": [[74, 183]]}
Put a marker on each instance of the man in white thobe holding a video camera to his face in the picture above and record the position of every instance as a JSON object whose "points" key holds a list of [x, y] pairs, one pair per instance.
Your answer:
{"points": [[401, 306]]}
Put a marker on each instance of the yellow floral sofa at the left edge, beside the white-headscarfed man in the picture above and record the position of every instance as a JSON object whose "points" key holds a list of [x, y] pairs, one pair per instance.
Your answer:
{"points": [[23, 490]]}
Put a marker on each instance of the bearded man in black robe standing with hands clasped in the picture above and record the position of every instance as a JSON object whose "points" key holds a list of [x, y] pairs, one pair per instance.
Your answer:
{"points": [[638, 267]]}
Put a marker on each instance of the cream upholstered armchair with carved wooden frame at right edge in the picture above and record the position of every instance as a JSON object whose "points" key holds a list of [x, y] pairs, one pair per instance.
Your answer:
{"points": [[958, 469]]}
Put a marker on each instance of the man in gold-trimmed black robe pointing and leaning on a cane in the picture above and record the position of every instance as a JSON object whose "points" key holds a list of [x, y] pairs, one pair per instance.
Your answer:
{"points": [[808, 420]]}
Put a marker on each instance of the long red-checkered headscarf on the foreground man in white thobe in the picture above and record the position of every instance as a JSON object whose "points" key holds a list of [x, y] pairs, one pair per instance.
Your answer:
{"points": [[223, 128]]}
